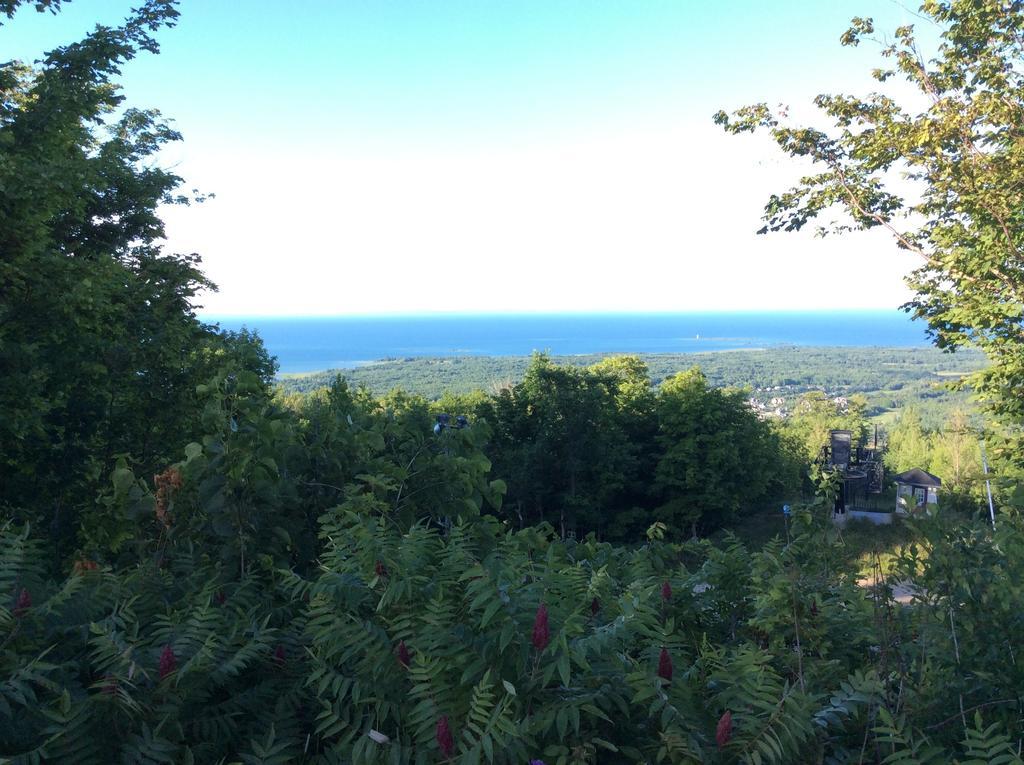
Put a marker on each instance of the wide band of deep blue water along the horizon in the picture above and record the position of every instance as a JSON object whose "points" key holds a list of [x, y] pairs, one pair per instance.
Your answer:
{"points": [[307, 345]]}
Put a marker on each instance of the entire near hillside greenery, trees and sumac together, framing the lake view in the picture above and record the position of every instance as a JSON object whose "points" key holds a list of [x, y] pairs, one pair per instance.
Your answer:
{"points": [[196, 567]]}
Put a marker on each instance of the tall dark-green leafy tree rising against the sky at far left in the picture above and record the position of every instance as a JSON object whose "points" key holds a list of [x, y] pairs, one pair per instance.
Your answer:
{"points": [[101, 351]]}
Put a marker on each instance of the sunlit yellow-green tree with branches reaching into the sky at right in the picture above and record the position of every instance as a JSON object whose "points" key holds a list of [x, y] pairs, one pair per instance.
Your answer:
{"points": [[942, 171]]}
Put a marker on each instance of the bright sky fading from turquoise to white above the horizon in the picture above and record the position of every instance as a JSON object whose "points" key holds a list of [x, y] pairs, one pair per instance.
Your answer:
{"points": [[536, 156]]}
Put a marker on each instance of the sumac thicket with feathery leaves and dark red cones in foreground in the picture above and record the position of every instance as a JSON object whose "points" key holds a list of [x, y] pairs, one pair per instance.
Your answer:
{"points": [[185, 659]]}
